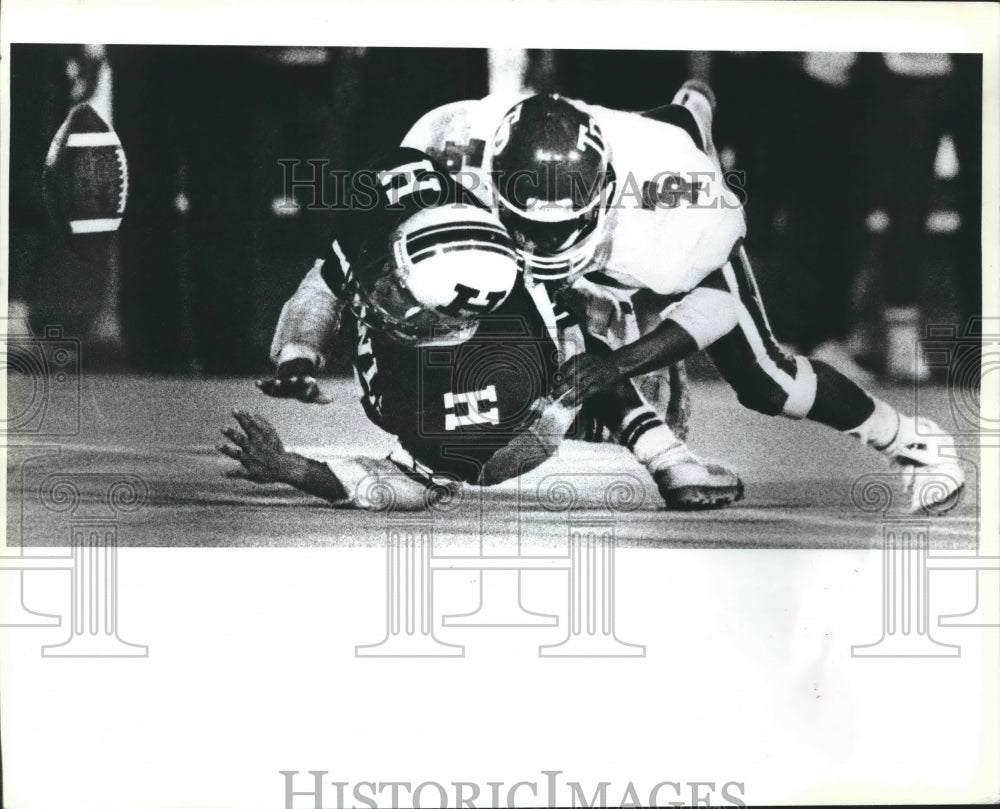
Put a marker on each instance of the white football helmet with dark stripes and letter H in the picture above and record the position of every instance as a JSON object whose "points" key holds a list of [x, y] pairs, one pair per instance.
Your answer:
{"points": [[445, 268]]}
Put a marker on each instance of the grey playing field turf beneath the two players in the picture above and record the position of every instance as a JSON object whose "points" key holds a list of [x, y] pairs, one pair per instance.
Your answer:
{"points": [[798, 476]]}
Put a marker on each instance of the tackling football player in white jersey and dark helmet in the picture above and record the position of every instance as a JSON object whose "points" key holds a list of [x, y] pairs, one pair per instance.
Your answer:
{"points": [[630, 211]]}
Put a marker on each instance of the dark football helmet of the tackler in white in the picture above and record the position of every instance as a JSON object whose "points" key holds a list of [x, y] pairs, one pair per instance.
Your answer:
{"points": [[553, 183]]}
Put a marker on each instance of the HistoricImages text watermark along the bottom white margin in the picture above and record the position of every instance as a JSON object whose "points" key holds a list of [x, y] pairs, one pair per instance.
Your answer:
{"points": [[314, 790]]}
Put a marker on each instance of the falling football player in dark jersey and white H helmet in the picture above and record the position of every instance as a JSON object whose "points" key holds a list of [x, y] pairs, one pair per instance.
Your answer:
{"points": [[451, 353]]}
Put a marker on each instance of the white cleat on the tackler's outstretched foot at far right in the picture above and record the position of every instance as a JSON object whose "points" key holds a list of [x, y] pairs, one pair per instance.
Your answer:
{"points": [[925, 456]]}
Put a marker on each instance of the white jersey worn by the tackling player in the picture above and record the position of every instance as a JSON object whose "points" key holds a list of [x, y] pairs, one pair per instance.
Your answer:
{"points": [[672, 219]]}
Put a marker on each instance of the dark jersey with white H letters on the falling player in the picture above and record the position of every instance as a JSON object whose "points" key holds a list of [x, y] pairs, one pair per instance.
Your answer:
{"points": [[451, 406]]}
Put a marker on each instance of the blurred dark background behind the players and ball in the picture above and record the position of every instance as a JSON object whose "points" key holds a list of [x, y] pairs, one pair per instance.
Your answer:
{"points": [[862, 181]]}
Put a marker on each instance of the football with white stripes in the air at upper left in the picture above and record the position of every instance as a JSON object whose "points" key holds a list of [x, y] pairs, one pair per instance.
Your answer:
{"points": [[86, 181]]}
